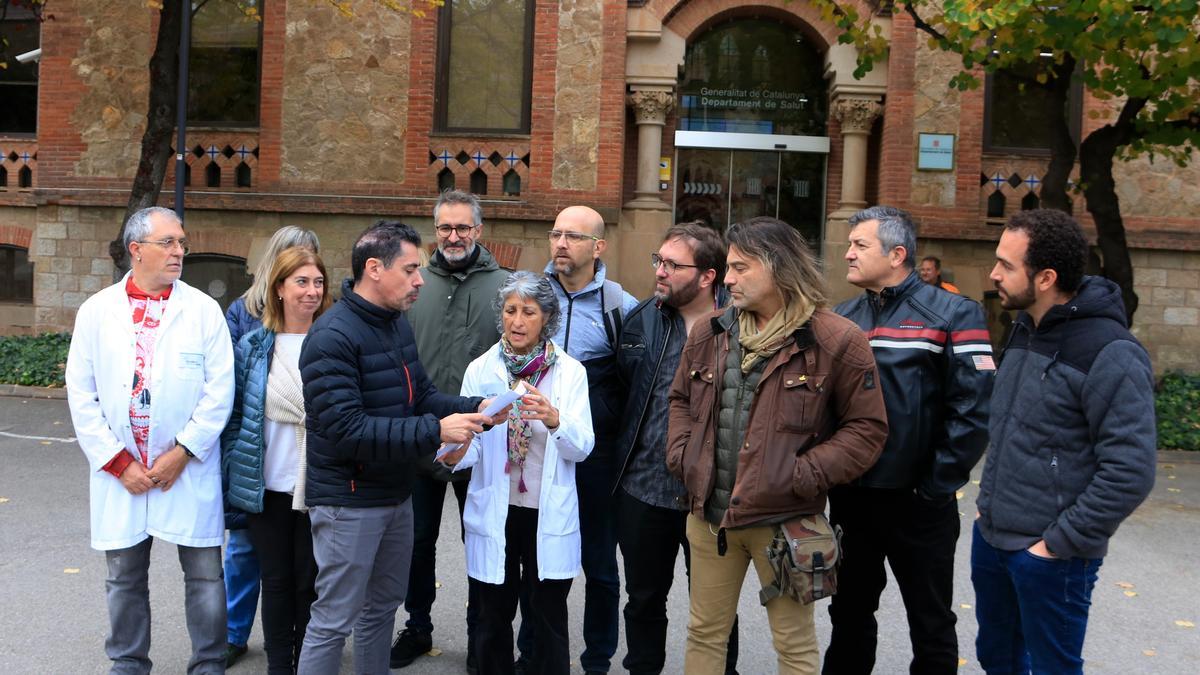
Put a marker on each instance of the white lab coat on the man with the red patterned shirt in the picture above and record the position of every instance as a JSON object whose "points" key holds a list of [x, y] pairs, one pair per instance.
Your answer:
{"points": [[191, 384]]}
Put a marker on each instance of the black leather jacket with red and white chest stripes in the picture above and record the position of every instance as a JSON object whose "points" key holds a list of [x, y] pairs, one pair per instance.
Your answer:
{"points": [[937, 371]]}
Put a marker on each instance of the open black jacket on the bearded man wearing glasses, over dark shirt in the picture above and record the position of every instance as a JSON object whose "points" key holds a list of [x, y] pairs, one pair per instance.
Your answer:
{"points": [[644, 342]]}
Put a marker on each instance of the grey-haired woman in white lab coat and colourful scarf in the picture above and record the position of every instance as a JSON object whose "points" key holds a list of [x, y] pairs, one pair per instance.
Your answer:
{"points": [[523, 511]]}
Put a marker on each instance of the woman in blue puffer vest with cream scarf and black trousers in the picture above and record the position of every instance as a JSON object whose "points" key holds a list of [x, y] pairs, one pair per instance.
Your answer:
{"points": [[263, 451]]}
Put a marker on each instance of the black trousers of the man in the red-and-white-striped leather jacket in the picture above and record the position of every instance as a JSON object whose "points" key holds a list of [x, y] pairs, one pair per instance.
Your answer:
{"points": [[917, 539]]}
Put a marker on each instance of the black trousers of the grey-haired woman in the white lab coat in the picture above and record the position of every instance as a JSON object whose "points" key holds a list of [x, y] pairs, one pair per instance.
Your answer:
{"points": [[499, 607]]}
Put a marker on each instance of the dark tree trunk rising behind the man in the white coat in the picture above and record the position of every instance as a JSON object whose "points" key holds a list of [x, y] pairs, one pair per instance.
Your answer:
{"points": [[160, 126]]}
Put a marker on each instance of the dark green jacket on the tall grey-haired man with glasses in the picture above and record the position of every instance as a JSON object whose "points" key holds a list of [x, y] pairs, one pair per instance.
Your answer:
{"points": [[454, 319]]}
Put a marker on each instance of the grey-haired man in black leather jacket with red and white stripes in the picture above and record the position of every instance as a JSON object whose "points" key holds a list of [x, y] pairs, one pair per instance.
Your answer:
{"points": [[937, 371]]}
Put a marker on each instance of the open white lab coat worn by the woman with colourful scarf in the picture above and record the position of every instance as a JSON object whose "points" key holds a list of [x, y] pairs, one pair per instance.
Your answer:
{"points": [[559, 505]]}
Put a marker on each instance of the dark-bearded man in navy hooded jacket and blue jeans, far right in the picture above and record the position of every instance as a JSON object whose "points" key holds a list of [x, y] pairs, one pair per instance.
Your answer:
{"points": [[1073, 449]]}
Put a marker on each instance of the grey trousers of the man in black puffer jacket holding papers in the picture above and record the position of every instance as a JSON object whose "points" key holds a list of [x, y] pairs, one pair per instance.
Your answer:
{"points": [[363, 560]]}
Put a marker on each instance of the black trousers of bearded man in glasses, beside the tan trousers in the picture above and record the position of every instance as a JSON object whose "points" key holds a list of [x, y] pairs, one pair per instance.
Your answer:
{"points": [[650, 540]]}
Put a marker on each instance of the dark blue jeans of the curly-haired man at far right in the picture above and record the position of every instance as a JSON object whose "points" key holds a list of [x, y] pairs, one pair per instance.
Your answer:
{"points": [[1033, 612]]}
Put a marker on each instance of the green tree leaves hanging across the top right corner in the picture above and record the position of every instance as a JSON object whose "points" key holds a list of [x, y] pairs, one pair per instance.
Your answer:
{"points": [[1142, 50]]}
